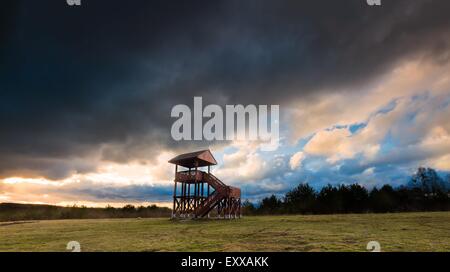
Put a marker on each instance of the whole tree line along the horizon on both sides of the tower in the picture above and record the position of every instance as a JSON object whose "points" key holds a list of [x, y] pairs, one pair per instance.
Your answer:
{"points": [[425, 191]]}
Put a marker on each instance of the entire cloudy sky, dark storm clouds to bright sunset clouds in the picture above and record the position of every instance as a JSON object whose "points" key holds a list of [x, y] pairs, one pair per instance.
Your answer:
{"points": [[86, 93]]}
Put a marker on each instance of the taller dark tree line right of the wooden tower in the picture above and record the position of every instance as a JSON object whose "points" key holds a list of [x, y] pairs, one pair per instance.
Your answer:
{"points": [[426, 191]]}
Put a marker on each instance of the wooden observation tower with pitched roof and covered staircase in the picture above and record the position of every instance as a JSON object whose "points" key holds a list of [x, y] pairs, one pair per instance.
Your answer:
{"points": [[198, 193]]}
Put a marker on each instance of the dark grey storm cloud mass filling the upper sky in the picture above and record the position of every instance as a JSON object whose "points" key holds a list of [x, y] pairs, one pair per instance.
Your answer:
{"points": [[106, 74]]}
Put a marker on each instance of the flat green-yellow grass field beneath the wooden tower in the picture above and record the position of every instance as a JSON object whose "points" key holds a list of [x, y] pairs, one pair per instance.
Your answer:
{"points": [[395, 232]]}
